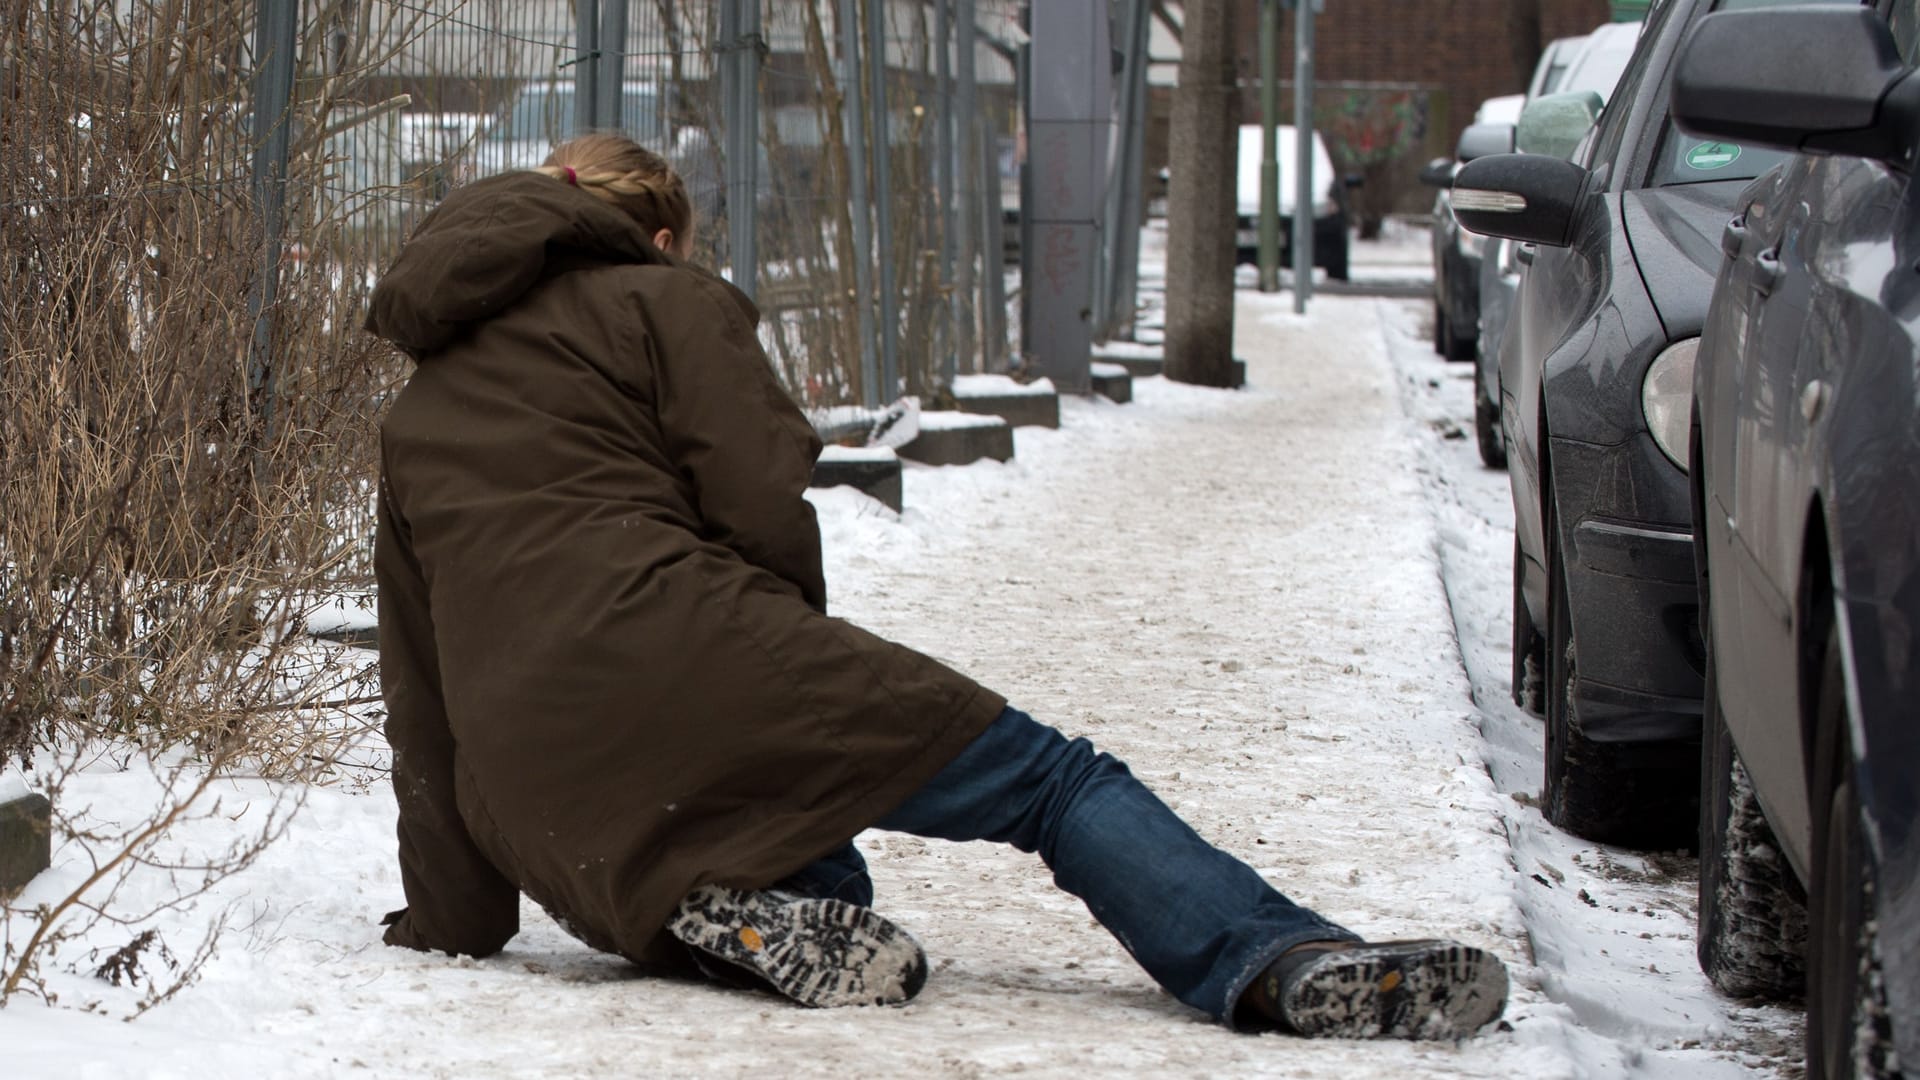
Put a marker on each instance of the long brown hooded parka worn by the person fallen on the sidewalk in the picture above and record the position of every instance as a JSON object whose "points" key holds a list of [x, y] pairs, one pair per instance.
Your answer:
{"points": [[604, 637]]}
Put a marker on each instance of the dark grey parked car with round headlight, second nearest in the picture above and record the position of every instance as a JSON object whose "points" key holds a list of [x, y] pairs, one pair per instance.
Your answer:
{"points": [[1595, 405]]}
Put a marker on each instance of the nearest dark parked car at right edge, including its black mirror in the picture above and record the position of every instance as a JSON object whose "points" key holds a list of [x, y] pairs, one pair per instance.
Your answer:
{"points": [[1806, 466]]}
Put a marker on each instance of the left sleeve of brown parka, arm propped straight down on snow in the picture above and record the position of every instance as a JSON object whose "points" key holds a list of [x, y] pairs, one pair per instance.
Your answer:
{"points": [[456, 900]]}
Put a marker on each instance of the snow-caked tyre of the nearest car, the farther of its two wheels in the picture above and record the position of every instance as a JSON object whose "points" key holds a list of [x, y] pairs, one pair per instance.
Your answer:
{"points": [[1752, 931]]}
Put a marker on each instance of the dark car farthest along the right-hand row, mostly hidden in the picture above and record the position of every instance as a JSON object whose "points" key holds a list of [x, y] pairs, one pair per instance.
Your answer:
{"points": [[1456, 251]]}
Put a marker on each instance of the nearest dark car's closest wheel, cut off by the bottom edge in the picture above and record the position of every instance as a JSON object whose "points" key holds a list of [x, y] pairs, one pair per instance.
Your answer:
{"points": [[1848, 1031]]}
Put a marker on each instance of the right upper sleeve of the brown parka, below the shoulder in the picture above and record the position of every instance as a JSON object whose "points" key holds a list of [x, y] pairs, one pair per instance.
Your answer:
{"points": [[734, 431]]}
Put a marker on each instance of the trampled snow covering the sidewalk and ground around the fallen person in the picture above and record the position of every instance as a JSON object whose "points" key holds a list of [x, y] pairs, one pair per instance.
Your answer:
{"points": [[1249, 595]]}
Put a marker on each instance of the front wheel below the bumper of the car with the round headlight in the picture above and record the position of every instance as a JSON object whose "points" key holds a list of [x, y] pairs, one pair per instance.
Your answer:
{"points": [[1610, 793]]}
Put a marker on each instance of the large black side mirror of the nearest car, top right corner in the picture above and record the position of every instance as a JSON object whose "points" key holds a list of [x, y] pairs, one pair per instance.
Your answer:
{"points": [[1819, 80]]}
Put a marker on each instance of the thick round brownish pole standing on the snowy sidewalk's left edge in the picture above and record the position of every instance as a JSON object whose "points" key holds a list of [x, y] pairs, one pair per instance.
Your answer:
{"points": [[1201, 203]]}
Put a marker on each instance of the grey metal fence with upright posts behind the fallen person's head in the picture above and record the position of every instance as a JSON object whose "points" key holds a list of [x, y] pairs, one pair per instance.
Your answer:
{"points": [[875, 257]]}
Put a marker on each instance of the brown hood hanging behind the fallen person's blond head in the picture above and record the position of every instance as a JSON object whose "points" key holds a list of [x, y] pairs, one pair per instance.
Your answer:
{"points": [[487, 245]]}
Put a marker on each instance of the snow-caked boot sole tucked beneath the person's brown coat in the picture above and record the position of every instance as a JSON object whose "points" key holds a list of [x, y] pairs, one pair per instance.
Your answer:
{"points": [[817, 952]]}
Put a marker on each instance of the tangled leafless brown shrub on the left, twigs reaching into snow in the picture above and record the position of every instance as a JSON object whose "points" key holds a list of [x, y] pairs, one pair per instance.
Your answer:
{"points": [[183, 451]]}
